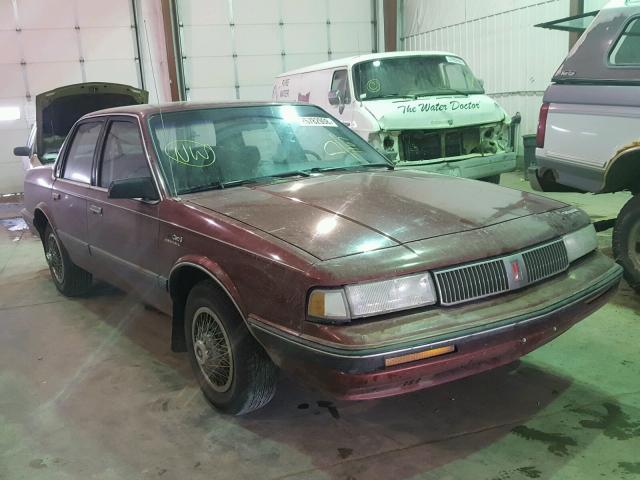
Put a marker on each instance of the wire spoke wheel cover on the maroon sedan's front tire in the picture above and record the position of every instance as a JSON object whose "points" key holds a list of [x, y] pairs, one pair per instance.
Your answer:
{"points": [[212, 349]]}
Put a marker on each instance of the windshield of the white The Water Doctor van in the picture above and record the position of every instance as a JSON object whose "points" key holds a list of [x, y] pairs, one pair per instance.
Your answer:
{"points": [[413, 77]]}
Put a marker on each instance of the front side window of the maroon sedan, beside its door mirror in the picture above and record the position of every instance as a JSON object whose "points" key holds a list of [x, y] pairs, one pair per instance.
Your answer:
{"points": [[123, 155]]}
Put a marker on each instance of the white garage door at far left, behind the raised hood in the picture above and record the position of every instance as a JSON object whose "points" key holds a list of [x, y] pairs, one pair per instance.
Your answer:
{"points": [[49, 44]]}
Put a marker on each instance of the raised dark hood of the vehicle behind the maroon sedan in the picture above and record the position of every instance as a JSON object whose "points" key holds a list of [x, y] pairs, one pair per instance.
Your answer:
{"points": [[58, 109]]}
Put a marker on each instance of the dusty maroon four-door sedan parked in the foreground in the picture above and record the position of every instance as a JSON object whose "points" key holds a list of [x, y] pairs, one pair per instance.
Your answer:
{"points": [[276, 238]]}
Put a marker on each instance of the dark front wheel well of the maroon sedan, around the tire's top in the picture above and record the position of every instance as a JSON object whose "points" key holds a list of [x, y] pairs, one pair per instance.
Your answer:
{"points": [[182, 280]]}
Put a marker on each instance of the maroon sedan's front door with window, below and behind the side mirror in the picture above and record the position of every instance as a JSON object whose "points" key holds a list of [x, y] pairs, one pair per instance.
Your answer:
{"points": [[123, 233]]}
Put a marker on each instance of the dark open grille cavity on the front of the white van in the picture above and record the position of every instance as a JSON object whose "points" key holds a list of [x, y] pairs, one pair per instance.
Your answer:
{"points": [[419, 145]]}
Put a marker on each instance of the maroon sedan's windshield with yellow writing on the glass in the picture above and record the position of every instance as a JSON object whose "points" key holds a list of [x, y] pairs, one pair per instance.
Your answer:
{"points": [[224, 147]]}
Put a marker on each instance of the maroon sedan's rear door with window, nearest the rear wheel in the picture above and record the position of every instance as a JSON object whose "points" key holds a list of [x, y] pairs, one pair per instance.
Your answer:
{"points": [[69, 194]]}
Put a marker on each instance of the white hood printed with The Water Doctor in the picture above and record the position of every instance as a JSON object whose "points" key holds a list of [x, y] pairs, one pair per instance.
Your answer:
{"points": [[435, 112]]}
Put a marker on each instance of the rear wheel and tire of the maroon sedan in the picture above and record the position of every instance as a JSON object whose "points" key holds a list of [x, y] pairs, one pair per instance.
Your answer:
{"points": [[68, 278]]}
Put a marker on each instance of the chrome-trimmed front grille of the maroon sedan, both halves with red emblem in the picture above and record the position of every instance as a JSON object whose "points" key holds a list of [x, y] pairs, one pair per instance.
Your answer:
{"points": [[483, 279]]}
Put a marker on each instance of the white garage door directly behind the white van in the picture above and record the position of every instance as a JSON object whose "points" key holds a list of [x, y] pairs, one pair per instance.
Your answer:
{"points": [[233, 49]]}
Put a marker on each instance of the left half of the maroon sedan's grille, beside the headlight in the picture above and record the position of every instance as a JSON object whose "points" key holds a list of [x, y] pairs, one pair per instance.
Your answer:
{"points": [[472, 281]]}
